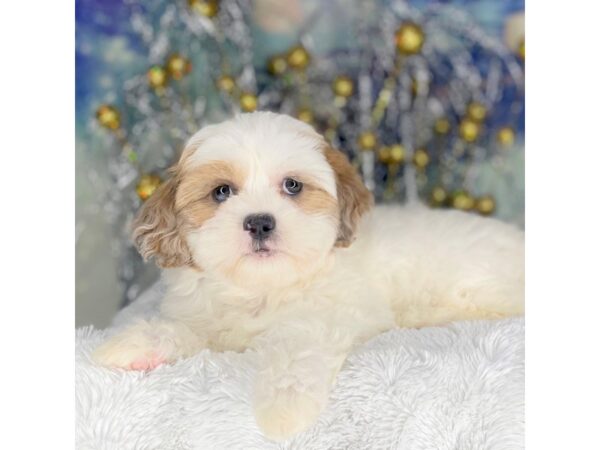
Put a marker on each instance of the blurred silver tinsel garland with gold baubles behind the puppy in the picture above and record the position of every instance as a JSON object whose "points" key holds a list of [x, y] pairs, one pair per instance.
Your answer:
{"points": [[417, 105]]}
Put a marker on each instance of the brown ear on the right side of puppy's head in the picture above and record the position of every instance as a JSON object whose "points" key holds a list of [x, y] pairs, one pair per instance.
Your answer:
{"points": [[354, 199]]}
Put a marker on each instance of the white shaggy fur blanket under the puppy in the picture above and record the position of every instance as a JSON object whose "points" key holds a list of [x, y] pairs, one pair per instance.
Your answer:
{"points": [[454, 387]]}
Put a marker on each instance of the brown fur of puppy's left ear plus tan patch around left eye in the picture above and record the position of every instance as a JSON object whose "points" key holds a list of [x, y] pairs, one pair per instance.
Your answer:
{"points": [[182, 203]]}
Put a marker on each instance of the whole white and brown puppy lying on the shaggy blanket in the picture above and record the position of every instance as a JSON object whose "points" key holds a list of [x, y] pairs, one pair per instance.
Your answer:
{"points": [[269, 242]]}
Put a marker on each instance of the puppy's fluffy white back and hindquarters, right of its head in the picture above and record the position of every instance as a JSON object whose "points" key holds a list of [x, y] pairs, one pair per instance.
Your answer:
{"points": [[437, 266]]}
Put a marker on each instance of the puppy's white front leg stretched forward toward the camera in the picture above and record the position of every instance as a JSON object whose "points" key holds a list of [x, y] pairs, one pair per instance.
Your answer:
{"points": [[299, 364]]}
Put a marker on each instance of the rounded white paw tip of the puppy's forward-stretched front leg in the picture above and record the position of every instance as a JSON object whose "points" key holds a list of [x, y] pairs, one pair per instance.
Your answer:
{"points": [[286, 412]]}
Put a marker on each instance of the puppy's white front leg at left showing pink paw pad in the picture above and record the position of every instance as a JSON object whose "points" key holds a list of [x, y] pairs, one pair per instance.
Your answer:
{"points": [[147, 344]]}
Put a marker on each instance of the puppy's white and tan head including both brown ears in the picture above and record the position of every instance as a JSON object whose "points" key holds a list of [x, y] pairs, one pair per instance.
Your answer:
{"points": [[259, 199]]}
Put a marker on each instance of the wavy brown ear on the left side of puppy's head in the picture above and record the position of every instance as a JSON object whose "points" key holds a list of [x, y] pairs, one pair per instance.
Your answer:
{"points": [[155, 229]]}
